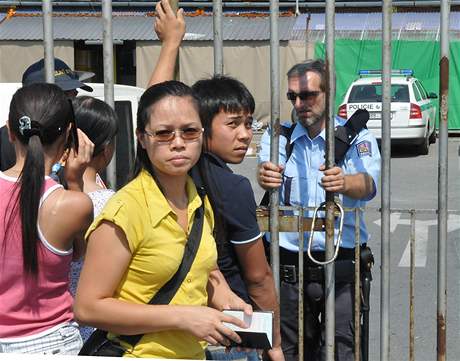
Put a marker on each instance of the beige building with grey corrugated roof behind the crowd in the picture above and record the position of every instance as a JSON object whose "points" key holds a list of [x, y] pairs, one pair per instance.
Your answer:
{"points": [[78, 41]]}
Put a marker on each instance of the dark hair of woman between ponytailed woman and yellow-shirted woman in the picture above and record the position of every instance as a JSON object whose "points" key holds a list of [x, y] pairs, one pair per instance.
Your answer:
{"points": [[97, 120]]}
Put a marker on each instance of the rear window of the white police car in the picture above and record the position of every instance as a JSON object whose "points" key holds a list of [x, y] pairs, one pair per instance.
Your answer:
{"points": [[369, 93]]}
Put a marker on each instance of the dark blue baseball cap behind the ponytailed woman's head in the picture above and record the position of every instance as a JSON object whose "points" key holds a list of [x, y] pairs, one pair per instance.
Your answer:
{"points": [[64, 77]]}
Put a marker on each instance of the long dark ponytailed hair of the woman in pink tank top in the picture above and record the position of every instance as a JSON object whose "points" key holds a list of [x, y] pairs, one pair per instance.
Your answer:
{"points": [[39, 115]]}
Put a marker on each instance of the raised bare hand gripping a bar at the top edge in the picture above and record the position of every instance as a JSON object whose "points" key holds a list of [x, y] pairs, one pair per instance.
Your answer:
{"points": [[169, 27]]}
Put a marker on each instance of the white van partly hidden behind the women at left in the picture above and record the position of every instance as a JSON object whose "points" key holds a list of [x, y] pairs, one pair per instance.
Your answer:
{"points": [[126, 101]]}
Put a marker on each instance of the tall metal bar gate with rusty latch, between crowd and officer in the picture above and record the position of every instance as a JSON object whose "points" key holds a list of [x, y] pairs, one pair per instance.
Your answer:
{"points": [[275, 222]]}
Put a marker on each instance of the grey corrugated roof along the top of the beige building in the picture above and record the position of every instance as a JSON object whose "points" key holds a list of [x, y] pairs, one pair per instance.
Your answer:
{"points": [[140, 27]]}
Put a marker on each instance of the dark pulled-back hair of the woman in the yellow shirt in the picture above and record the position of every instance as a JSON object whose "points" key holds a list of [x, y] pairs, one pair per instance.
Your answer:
{"points": [[147, 103]]}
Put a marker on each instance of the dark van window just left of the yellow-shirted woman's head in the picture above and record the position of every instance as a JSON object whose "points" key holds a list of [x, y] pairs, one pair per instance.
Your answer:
{"points": [[125, 141]]}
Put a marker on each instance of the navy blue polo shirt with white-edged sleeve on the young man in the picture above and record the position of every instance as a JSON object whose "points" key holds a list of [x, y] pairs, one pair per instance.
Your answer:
{"points": [[237, 207]]}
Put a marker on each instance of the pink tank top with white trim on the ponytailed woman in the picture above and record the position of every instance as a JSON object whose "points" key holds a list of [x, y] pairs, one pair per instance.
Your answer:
{"points": [[30, 305]]}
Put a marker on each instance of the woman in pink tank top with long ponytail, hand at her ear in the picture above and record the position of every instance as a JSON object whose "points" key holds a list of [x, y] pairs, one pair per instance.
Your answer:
{"points": [[41, 224]]}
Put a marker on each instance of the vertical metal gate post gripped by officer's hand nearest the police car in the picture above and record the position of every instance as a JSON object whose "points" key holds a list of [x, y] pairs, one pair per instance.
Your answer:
{"points": [[329, 272]]}
